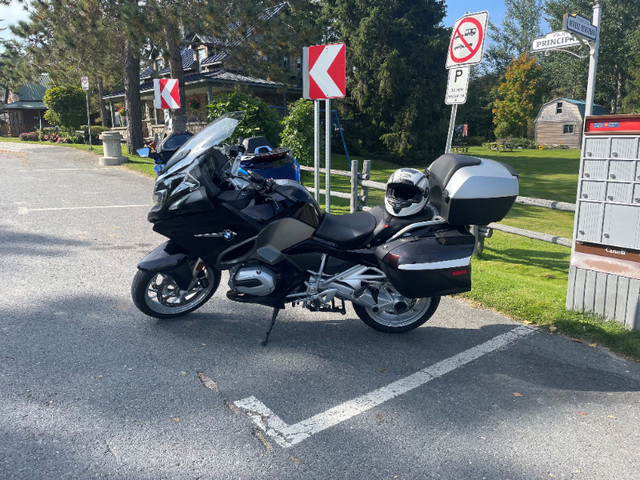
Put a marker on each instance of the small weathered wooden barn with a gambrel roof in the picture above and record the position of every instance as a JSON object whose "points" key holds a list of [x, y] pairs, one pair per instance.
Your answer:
{"points": [[561, 122]]}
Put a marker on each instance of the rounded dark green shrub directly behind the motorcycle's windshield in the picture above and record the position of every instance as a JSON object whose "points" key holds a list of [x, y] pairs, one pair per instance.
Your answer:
{"points": [[259, 119]]}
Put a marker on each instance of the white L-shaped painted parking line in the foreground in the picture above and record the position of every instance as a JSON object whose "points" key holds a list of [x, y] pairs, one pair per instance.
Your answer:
{"points": [[289, 435]]}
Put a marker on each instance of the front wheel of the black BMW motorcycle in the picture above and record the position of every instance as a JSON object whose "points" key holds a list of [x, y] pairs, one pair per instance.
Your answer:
{"points": [[156, 293]]}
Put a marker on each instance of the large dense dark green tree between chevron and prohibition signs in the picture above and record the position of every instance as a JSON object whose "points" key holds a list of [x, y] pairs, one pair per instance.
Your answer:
{"points": [[394, 62]]}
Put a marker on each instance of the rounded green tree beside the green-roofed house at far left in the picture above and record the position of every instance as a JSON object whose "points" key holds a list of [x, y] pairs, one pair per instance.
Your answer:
{"points": [[66, 106]]}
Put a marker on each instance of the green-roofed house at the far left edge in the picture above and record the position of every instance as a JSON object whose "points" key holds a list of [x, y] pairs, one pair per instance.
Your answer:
{"points": [[24, 109]]}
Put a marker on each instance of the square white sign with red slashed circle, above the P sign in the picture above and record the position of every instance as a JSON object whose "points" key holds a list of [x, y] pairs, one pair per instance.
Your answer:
{"points": [[467, 40]]}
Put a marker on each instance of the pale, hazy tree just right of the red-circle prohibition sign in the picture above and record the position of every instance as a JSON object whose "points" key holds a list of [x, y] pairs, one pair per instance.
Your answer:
{"points": [[520, 26]]}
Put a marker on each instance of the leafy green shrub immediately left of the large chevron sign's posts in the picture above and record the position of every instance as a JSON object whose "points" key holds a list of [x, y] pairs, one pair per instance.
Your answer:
{"points": [[298, 131]]}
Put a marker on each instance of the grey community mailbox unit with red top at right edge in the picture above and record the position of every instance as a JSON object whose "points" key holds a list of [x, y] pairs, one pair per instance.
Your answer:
{"points": [[604, 276]]}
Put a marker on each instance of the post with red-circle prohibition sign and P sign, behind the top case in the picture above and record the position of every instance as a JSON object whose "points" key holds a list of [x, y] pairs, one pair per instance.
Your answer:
{"points": [[465, 49]]}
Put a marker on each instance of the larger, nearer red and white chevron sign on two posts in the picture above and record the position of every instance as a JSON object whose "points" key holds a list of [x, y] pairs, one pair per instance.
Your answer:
{"points": [[323, 74]]}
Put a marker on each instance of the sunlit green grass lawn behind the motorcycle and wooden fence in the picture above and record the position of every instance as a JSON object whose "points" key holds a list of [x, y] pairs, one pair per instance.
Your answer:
{"points": [[519, 277]]}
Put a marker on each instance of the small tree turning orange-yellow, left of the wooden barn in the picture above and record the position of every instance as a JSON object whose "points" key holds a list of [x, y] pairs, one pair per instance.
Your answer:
{"points": [[520, 97]]}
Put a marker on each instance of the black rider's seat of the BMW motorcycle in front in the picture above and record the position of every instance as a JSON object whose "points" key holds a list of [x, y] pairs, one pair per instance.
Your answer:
{"points": [[347, 231]]}
